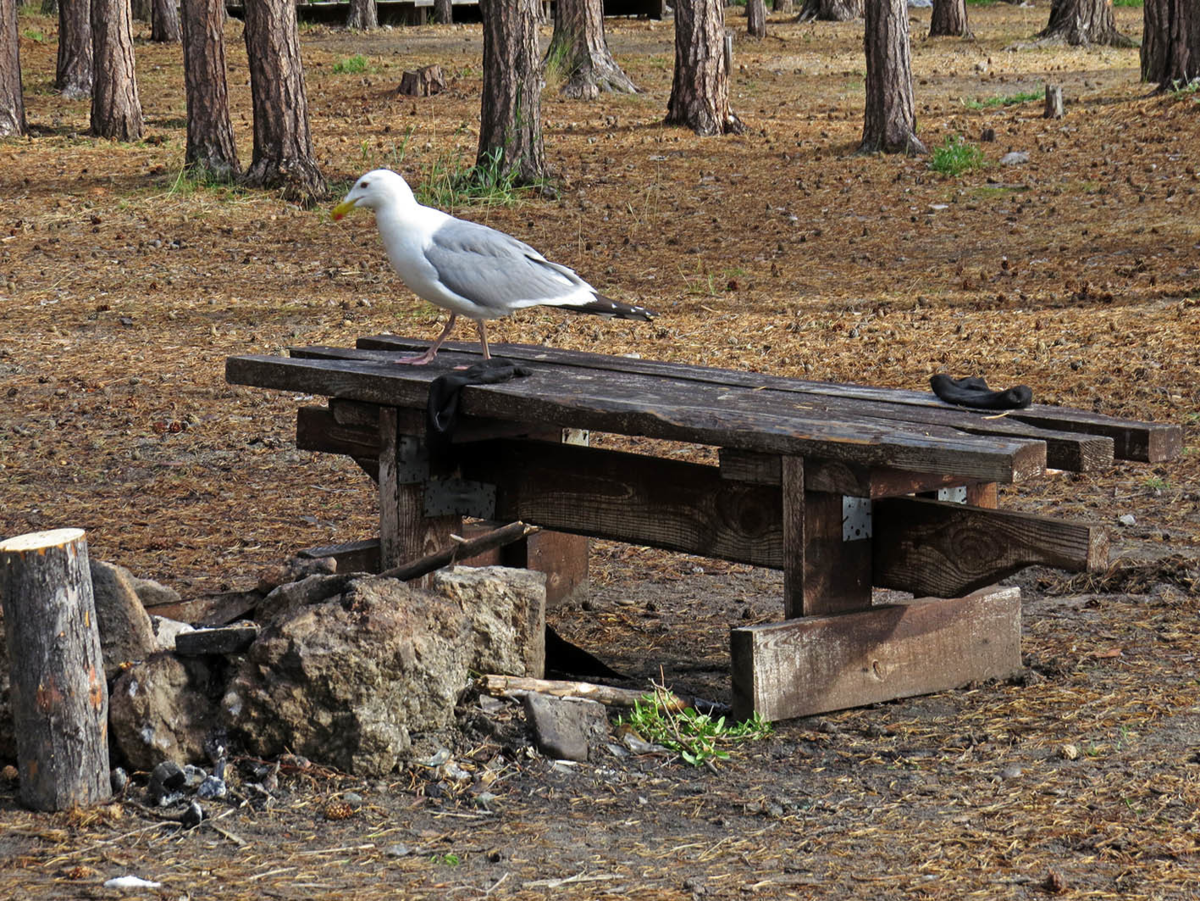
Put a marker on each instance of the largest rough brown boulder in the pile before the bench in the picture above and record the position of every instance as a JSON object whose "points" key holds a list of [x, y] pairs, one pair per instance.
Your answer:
{"points": [[349, 681]]}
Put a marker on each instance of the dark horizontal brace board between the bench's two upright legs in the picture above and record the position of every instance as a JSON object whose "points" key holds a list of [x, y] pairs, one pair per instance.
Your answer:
{"points": [[627, 497]]}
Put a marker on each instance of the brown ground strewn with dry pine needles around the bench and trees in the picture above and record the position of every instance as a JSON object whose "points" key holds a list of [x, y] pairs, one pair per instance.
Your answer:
{"points": [[124, 287]]}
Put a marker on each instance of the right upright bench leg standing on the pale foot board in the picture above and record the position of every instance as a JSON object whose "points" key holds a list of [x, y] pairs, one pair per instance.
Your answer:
{"points": [[824, 573]]}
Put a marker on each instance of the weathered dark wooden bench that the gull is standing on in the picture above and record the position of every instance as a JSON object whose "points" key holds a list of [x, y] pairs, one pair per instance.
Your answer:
{"points": [[843, 488]]}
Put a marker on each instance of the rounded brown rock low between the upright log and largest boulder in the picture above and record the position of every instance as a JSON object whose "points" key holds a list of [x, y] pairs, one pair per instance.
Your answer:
{"points": [[163, 710]]}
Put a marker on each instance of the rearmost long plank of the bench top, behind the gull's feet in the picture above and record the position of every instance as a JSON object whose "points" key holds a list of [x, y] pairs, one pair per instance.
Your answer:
{"points": [[1145, 442]]}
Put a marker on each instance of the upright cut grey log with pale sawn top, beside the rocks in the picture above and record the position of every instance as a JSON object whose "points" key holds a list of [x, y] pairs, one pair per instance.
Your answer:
{"points": [[59, 698]]}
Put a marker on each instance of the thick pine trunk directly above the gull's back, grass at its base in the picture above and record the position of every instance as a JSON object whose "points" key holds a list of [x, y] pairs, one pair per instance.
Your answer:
{"points": [[511, 115]]}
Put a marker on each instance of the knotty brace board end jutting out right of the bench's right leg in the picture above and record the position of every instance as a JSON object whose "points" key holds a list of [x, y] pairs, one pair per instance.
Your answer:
{"points": [[944, 550]]}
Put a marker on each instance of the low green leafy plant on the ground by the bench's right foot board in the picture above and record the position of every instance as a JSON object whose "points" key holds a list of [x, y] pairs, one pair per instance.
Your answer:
{"points": [[697, 737]]}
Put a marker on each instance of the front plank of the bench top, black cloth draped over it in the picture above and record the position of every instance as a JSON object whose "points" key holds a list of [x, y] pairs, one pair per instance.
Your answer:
{"points": [[657, 410]]}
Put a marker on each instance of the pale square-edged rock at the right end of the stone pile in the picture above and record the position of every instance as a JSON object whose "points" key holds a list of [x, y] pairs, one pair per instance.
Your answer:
{"points": [[508, 609]]}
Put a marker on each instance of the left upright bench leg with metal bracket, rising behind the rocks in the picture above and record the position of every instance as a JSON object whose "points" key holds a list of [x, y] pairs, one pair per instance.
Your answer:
{"points": [[406, 533]]}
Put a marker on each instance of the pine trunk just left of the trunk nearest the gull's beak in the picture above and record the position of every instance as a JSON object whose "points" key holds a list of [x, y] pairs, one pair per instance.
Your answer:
{"points": [[211, 142]]}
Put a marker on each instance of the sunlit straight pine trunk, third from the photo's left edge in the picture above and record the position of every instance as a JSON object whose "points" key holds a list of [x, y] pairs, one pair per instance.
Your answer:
{"points": [[116, 106]]}
